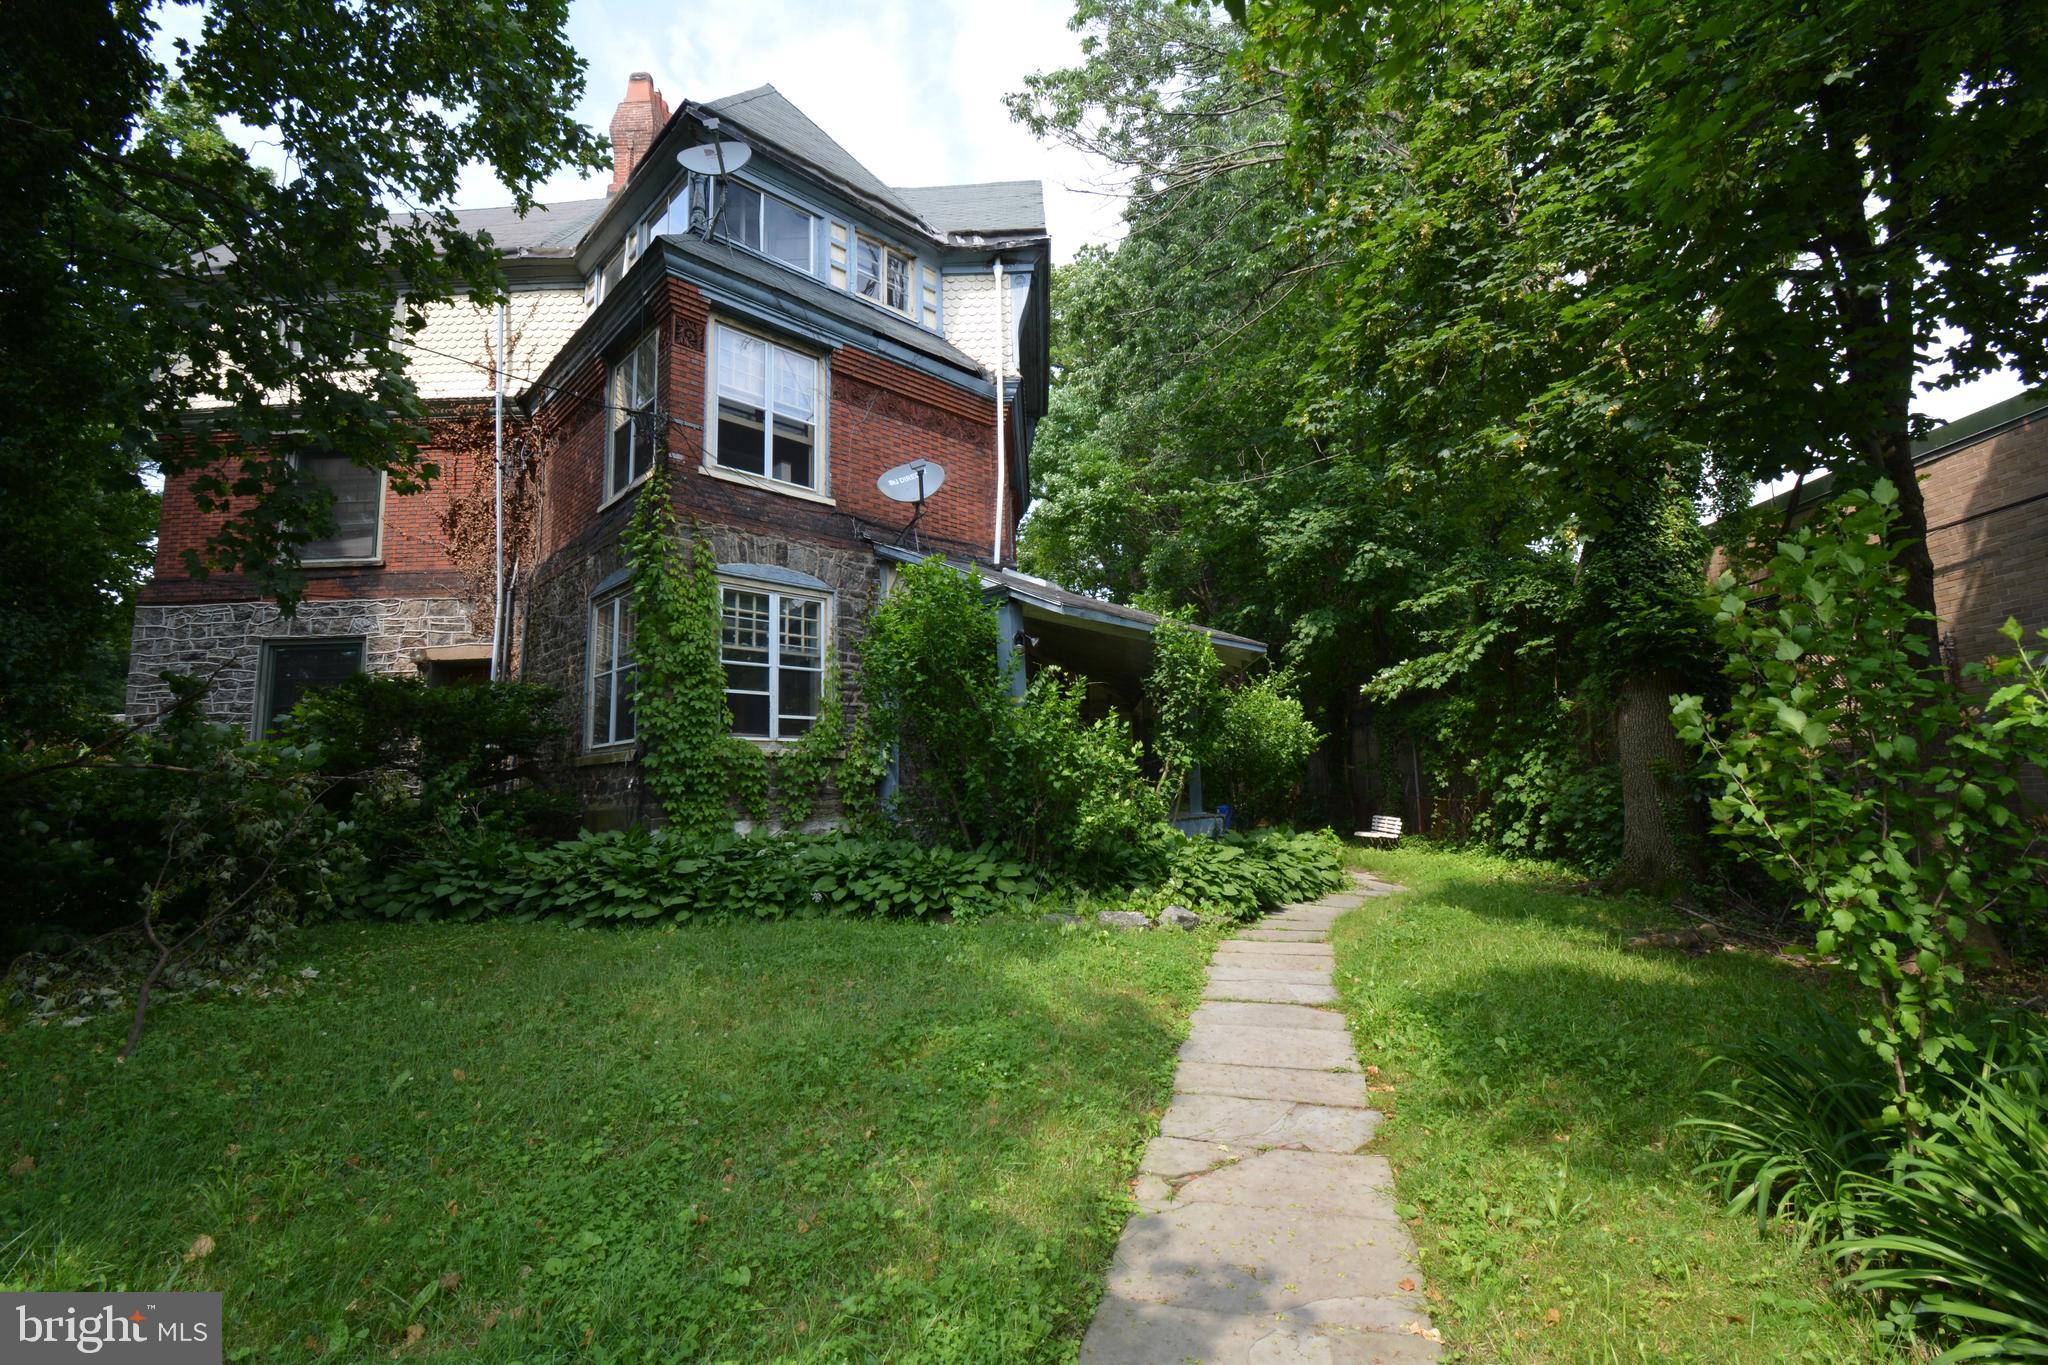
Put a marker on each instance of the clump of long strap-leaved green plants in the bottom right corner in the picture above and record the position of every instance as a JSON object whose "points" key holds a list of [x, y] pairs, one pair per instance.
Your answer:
{"points": [[1953, 1225]]}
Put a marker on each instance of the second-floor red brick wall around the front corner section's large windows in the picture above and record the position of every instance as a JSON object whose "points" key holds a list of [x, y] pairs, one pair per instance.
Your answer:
{"points": [[882, 416]]}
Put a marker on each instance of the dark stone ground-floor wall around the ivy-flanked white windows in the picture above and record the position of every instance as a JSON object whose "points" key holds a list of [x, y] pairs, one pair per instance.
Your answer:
{"points": [[554, 640]]}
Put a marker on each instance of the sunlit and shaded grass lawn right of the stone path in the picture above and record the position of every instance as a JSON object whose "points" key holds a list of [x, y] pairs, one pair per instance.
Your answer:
{"points": [[1539, 1069]]}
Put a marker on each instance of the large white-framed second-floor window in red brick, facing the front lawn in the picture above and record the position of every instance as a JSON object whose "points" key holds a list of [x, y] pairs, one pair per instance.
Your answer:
{"points": [[767, 410]]}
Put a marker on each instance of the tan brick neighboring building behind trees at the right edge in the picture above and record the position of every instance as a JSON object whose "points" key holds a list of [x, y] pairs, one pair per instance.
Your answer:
{"points": [[1986, 486]]}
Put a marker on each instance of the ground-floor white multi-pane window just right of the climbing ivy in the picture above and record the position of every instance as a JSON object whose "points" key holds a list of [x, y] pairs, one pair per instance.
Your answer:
{"points": [[773, 648]]}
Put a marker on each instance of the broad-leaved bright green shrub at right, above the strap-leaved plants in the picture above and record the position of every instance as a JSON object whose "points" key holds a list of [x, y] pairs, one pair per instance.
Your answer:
{"points": [[1854, 773]]}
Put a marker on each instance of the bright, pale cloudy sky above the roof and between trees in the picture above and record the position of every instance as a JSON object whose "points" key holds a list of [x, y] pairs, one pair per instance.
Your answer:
{"points": [[914, 89]]}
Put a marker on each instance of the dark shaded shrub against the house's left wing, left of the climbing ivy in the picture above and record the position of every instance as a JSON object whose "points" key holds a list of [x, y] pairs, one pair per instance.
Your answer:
{"points": [[417, 764]]}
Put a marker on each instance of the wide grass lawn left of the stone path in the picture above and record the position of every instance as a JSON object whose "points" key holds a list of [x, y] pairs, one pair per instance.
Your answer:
{"points": [[521, 1143]]}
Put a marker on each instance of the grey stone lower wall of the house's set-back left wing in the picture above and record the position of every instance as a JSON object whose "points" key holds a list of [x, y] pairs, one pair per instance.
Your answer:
{"points": [[224, 640]]}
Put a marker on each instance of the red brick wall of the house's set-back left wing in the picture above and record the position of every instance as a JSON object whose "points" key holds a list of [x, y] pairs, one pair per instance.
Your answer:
{"points": [[415, 547]]}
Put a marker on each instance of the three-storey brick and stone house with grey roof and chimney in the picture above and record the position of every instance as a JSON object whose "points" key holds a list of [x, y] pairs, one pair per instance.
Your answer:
{"points": [[783, 333]]}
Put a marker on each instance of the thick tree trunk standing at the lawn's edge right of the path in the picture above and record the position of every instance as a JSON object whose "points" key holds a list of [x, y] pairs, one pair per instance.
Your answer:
{"points": [[1654, 764]]}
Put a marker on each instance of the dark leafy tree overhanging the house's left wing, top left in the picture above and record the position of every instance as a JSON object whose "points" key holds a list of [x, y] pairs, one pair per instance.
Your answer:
{"points": [[173, 304]]}
